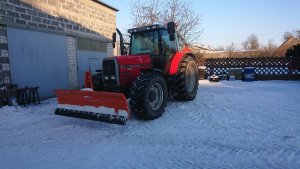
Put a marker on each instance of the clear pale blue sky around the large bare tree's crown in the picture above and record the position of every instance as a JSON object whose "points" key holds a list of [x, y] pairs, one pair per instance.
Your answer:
{"points": [[227, 21]]}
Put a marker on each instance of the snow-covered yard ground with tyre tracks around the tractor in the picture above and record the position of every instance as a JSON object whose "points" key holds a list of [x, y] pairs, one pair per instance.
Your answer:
{"points": [[231, 124]]}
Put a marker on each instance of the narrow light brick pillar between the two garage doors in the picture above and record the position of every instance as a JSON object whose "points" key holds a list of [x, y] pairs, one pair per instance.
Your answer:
{"points": [[72, 63]]}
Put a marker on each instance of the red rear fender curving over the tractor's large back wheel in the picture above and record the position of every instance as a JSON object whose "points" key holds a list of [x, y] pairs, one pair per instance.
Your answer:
{"points": [[178, 57]]}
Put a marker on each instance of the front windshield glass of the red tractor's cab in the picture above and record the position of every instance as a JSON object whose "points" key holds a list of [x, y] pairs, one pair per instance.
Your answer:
{"points": [[144, 43]]}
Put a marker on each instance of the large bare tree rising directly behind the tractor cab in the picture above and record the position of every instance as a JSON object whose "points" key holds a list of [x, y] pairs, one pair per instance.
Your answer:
{"points": [[144, 12]]}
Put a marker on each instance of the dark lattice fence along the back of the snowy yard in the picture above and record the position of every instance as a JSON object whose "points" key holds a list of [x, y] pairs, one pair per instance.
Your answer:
{"points": [[265, 68]]}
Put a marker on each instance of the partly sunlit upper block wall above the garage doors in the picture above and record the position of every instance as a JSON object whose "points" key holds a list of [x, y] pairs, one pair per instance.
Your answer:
{"points": [[73, 17]]}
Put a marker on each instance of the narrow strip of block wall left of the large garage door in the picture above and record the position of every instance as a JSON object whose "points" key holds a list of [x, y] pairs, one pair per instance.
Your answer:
{"points": [[4, 59]]}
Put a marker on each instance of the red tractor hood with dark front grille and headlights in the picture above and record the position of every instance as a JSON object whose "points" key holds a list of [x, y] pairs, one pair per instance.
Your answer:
{"points": [[123, 70]]}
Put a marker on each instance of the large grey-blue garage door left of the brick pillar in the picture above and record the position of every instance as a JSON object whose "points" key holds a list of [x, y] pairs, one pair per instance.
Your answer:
{"points": [[38, 59]]}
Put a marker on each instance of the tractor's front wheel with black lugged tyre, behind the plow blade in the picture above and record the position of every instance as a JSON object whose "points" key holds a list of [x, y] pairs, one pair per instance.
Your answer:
{"points": [[148, 96]]}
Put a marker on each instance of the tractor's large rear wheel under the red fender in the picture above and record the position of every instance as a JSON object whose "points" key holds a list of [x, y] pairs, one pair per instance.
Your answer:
{"points": [[186, 80]]}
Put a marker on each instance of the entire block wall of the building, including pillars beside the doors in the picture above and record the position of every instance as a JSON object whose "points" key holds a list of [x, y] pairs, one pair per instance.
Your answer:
{"points": [[73, 18]]}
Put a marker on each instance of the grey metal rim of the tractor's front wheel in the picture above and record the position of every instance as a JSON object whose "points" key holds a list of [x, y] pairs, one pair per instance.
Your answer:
{"points": [[156, 96]]}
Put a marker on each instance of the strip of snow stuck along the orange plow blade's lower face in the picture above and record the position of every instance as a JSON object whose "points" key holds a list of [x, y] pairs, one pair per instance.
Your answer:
{"points": [[101, 109]]}
